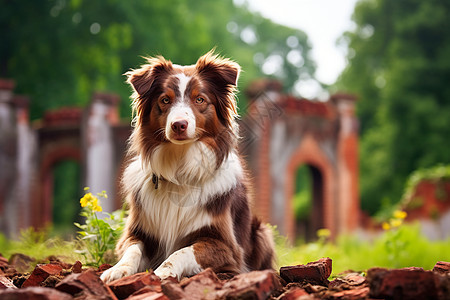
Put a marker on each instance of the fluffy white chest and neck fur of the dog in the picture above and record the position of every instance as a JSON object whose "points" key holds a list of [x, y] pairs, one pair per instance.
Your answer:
{"points": [[176, 207]]}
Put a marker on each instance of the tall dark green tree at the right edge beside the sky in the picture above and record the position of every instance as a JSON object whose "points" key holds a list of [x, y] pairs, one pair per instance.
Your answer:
{"points": [[399, 65]]}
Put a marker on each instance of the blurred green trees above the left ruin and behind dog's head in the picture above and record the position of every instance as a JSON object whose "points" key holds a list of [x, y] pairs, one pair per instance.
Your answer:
{"points": [[68, 49]]}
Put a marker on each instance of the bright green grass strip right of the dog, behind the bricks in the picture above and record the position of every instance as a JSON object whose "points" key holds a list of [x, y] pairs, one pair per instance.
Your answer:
{"points": [[398, 248]]}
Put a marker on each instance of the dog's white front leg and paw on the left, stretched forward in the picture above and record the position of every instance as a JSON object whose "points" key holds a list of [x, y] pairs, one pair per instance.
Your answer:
{"points": [[132, 261]]}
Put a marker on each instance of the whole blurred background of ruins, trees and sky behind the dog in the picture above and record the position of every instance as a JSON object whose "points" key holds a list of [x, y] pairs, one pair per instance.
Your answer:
{"points": [[362, 84]]}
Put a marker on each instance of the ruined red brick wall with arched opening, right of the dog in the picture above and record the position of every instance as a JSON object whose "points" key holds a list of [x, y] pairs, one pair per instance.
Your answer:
{"points": [[282, 133]]}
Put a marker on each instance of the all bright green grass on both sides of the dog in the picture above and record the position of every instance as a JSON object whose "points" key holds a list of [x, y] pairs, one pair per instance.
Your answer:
{"points": [[401, 247]]}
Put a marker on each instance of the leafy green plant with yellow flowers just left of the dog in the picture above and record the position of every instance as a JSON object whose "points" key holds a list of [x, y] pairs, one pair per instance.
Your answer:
{"points": [[98, 236]]}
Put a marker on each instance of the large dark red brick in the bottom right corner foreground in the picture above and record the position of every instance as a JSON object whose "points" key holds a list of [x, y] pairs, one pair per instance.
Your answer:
{"points": [[407, 283]]}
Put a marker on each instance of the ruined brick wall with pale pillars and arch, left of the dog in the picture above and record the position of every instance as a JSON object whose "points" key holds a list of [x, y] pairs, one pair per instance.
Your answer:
{"points": [[93, 136]]}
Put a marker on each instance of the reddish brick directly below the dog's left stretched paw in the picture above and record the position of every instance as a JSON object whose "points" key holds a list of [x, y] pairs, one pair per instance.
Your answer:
{"points": [[126, 286]]}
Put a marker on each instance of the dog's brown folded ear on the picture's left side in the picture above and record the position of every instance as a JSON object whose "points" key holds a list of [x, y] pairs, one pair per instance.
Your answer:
{"points": [[144, 78]]}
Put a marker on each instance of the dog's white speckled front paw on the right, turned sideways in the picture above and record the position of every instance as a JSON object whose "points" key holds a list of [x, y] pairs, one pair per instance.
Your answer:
{"points": [[178, 264]]}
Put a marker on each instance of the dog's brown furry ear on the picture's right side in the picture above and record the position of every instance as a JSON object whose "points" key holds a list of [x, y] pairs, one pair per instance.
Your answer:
{"points": [[222, 75]]}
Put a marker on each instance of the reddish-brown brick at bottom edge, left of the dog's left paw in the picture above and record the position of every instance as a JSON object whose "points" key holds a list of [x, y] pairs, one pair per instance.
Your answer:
{"points": [[88, 283]]}
